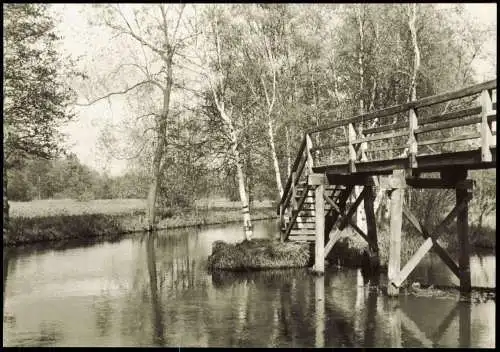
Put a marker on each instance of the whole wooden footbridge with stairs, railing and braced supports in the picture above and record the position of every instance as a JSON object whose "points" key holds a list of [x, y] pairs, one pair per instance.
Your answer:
{"points": [[341, 166]]}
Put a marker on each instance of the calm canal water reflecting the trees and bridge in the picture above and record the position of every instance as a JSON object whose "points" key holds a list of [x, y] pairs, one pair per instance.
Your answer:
{"points": [[155, 291]]}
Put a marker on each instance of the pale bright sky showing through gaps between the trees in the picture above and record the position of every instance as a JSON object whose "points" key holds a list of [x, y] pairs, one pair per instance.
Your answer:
{"points": [[84, 40]]}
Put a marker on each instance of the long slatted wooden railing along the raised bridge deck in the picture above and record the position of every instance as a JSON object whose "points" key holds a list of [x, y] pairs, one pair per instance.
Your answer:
{"points": [[450, 121]]}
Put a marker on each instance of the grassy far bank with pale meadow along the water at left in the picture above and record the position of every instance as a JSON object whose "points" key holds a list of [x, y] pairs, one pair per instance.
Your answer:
{"points": [[51, 220]]}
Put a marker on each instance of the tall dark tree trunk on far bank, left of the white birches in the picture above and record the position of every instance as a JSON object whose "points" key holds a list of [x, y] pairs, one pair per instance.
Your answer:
{"points": [[159, 150]]}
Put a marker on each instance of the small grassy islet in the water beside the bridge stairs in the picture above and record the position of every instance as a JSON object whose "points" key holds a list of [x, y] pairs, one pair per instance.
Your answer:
{"points": [[258, 254]]}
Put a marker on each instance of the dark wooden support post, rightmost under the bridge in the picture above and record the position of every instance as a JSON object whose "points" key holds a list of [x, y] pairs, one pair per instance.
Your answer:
{"points": [[462, 195]]}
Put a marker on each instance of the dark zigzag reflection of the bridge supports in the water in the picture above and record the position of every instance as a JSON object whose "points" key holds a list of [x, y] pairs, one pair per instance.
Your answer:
{"points": [[399, 318]]}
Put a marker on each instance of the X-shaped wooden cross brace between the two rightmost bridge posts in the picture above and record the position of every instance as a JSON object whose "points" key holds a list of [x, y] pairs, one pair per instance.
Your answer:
{"points": [[430, 242]]}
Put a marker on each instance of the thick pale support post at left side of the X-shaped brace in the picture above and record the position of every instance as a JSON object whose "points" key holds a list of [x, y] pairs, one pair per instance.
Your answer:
{"points": [[395, 231]]}
